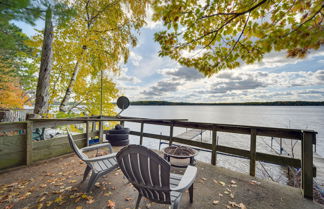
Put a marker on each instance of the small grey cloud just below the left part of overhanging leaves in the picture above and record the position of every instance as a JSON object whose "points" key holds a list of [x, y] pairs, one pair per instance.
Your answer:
{"points": [[186, 73]]}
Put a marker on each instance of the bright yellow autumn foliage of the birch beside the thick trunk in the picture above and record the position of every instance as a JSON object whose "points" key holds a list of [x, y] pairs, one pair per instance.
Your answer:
{"points": [[97, 38]]}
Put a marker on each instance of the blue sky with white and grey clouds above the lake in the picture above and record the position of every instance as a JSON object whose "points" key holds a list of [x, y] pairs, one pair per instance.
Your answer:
{"points": [[146, 76]]}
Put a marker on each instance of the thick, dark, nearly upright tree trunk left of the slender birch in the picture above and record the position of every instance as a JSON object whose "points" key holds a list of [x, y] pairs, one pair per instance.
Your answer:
{"points": [[42, 94]]}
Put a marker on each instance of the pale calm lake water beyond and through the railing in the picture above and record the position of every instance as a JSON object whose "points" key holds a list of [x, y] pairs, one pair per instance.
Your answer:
{"points": [[299, 117]]}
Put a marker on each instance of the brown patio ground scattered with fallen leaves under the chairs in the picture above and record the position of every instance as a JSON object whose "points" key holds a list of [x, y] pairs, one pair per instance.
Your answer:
{"points": [[56, 184]]}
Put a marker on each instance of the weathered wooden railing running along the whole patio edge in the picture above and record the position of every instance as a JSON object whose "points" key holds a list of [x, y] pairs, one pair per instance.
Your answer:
{"points": [[21, 149]]}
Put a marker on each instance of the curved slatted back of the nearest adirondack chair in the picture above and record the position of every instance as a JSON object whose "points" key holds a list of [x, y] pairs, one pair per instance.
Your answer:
{"points": [[147, 171]]}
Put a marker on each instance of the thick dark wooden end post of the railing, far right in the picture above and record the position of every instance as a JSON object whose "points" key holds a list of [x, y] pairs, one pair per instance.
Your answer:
{"points": [[307, 163]]}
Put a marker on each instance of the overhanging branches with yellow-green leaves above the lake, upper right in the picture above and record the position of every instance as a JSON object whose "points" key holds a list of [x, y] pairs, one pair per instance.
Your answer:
{"points": [[215, 35]]}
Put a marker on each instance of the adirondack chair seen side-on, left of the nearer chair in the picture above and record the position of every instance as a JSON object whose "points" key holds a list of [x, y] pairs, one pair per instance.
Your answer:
{"points": [[98, 165]]}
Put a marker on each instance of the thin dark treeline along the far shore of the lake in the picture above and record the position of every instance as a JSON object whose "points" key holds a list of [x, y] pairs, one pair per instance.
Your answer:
{"points": [[277, 103]]}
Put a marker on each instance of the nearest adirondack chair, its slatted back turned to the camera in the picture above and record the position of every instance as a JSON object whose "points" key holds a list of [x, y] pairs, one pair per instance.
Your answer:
{"points": [[150, 175]]}
